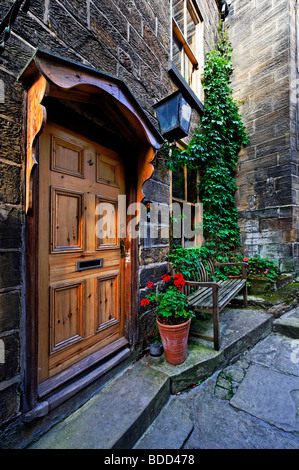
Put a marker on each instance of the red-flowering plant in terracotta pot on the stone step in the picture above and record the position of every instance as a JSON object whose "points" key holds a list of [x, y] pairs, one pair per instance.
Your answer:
{"points": [[173, 316]]}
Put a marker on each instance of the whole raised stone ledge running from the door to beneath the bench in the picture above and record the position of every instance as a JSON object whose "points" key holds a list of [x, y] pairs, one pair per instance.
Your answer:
{"points": [[120, 414]]}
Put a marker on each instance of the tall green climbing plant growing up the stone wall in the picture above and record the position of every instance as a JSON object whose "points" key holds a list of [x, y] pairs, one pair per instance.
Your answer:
{"points": [[214, 149]]}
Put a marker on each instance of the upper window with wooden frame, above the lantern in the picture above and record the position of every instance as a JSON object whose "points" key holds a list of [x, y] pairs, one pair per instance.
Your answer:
{"points": [[187, 42]]}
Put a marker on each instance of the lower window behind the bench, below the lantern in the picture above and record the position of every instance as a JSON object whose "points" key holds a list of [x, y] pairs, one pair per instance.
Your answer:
{"points": [[186, 214]]}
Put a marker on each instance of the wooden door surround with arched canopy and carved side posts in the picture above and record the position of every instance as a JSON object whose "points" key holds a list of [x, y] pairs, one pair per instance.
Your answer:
{"points": [[38, 78]]}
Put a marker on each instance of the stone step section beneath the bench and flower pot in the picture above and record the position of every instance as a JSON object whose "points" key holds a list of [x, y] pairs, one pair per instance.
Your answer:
{"points": [[240, 329]]}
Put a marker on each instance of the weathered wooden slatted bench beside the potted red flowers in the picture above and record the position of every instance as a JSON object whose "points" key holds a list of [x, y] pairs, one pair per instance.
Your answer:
{"points": [[208, 296]]}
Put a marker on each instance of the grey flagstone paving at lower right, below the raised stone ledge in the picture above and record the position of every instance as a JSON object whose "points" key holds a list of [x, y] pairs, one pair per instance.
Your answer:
{"points": [[252, 403]]}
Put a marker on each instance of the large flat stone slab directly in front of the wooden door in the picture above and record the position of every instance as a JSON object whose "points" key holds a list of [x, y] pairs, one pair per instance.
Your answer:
{"points": [[114, 418]]}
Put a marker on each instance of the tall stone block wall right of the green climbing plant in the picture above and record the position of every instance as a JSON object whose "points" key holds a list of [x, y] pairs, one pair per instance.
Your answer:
{"points": [[264, 44]]}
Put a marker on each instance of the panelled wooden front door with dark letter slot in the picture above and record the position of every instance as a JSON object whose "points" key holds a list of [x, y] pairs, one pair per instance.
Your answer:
{"points": [[81, 269]]}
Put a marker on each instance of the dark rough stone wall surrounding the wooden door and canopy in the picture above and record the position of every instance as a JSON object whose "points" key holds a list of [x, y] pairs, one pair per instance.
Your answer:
{"points": [[129, 39]]}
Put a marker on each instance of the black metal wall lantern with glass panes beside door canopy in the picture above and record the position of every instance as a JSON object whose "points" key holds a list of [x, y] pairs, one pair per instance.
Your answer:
{"points": [[174, 116]]}
